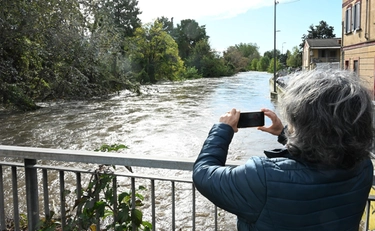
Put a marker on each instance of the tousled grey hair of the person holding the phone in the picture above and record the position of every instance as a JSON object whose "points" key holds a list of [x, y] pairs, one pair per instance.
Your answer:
{"points": [[329, 116]]}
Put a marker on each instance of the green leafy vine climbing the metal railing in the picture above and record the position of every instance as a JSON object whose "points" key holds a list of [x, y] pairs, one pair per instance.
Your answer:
{"points": [[98, 203]]}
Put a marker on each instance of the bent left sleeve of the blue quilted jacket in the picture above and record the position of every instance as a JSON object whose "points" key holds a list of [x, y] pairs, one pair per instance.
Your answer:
{"points": [[240, 190]]}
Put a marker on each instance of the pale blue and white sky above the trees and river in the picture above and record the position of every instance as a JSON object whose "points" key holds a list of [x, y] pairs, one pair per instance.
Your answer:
{"points": [[248, 21]]}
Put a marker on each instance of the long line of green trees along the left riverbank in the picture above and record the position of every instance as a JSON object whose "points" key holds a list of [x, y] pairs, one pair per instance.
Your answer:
{"points": [[75, 49]]}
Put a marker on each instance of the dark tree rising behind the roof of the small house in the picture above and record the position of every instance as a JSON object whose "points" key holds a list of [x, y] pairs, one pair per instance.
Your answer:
{"points": [[321, 31]]}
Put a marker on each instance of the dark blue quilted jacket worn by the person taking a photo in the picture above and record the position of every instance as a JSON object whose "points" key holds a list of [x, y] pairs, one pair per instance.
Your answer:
{"points": [[281, 193]]}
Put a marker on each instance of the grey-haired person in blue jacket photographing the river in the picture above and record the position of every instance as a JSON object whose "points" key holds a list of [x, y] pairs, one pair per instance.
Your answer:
{"points": [[320, 181]]}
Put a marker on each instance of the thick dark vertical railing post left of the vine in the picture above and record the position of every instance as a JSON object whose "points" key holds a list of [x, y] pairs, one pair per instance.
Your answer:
{"points": [[32, 199]]}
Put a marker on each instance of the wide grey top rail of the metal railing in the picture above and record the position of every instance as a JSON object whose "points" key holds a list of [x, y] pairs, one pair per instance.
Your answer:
{"points": [[108, 158]]}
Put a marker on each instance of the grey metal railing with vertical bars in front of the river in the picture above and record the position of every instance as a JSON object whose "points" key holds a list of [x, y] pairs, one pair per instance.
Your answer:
{"points": [[171, 203]]}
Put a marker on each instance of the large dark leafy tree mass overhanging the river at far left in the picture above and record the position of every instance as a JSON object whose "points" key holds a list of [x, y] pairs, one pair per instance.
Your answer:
{"points": [[59, 49]]}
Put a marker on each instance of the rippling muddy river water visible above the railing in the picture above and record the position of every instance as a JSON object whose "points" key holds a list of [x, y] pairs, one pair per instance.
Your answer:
{"points": [[167, 119]]}
